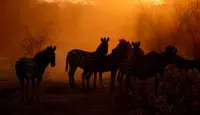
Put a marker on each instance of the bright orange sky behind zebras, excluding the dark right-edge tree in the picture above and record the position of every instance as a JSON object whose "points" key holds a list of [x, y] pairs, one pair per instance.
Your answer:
{"points": [[81, 25]]}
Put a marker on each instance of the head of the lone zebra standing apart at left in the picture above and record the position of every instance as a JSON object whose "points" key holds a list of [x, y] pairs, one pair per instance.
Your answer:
{"points": [[50, 55]]}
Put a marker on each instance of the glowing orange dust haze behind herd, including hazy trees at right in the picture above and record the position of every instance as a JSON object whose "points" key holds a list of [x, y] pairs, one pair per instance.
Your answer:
{"points": [[76, 25]]}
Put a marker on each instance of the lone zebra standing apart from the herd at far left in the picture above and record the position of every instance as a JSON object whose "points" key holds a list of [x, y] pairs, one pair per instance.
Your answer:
{"points": [[30, 69]]}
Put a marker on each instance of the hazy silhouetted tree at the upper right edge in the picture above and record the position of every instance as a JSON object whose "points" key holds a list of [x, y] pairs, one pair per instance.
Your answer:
{"points": [[189, 22]]}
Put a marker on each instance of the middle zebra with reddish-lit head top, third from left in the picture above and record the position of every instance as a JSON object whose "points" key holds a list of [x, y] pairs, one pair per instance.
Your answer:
{"points": [[110, 62]]}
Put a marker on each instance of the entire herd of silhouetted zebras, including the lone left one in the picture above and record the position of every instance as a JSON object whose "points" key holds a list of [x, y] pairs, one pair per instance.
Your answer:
{"points": [[128, 59]]}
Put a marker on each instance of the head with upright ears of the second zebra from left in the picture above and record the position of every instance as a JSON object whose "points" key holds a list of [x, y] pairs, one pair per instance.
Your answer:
{"points": [[103, 47]]}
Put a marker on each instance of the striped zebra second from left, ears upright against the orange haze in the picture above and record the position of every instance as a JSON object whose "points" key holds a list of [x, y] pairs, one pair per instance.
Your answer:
{"points": [[79, 58]]}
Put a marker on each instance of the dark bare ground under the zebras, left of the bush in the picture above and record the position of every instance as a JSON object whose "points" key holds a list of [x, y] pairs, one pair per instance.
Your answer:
{"points": [[58, 99]]}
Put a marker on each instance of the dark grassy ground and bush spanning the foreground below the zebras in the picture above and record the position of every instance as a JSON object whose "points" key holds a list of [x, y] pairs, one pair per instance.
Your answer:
{"points": [[180, 97]]}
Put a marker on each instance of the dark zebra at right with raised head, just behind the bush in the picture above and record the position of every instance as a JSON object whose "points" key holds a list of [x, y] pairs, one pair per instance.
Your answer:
{"points": [[147, 66]]}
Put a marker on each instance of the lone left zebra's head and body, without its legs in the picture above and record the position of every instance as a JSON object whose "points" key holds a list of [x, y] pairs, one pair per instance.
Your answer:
{"points": [[35, 67]]}
